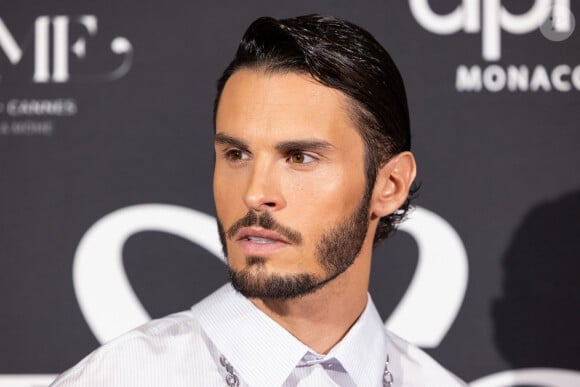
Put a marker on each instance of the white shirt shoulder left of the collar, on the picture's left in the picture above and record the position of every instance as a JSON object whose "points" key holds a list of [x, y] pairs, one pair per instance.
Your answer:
{"points": [[152, 350]]}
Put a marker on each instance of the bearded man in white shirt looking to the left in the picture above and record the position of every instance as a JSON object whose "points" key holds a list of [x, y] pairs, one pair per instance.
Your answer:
{"points": [[312, 169]]}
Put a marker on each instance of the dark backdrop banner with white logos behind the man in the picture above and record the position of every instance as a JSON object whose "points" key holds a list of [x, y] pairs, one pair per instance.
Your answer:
{"points": [[106, 211]]}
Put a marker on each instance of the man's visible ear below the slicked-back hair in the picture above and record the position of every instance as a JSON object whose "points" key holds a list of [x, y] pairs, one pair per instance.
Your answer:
{"points": [[392, 184]]}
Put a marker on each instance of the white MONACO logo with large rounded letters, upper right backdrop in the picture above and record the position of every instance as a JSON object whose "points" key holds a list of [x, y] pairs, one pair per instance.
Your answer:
{"points": [[491, 20]]}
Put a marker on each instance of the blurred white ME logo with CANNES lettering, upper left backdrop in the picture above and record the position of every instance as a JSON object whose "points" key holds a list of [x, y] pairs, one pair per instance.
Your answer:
{"points": [[46, 55]]}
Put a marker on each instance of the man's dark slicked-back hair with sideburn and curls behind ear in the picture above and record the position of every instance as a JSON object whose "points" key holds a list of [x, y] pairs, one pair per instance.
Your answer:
{"points": [[343, 56]]}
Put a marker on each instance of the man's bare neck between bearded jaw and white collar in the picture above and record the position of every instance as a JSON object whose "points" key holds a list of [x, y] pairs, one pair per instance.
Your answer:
{"points": [[321, 319]]}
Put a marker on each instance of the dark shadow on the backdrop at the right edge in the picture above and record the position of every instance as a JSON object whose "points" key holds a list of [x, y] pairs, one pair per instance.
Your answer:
{"points": [[537, 319]]}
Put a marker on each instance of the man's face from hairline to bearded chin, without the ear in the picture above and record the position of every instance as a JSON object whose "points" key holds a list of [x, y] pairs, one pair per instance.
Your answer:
{"points": [[289, 183]]}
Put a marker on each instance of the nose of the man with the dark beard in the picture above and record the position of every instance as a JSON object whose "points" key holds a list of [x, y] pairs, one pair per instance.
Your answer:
{"points": [[263, 191]]}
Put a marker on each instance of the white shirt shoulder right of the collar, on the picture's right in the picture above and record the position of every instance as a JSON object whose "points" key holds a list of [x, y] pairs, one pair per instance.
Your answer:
{"points": [[415, 367]]}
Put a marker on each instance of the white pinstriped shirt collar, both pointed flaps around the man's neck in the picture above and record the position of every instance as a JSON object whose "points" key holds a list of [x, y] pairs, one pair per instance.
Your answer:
{"points": [[246, 336]]}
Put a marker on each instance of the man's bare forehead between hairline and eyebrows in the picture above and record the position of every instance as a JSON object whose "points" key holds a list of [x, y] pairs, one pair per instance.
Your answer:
{"points": [[254, 102]]}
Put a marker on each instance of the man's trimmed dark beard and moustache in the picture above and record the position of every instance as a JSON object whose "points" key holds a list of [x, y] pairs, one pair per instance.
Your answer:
{"points": [[336, 251]]}
